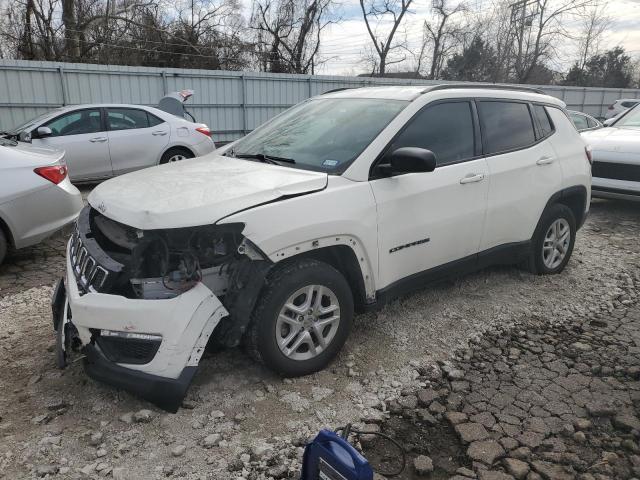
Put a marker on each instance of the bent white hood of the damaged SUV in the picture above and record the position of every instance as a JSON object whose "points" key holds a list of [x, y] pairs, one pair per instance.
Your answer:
{"points": [[199, 191]]}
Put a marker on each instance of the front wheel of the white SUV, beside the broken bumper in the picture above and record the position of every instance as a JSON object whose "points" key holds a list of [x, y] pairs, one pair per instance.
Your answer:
{"points": [[290, 285]]}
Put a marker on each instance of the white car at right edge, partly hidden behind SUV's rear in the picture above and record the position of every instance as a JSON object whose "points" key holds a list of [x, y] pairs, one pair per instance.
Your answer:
{"points": [[615, 151]]}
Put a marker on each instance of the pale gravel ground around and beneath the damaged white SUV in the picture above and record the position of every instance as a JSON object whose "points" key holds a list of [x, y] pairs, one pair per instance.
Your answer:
{"points": [[241, 421]]}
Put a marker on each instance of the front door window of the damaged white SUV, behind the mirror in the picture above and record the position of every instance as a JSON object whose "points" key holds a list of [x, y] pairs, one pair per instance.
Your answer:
{"points": [[445, 128]]}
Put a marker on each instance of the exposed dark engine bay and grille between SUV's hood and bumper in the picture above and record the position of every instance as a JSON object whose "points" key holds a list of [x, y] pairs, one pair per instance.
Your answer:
{"points": [[112, 258]]}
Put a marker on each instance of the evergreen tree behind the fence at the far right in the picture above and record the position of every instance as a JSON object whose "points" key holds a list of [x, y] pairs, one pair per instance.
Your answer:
{"points": [[612, 69]]}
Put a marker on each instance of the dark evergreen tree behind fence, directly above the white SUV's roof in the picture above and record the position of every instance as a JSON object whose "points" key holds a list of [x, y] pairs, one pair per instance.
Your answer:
{"points": [[476, 63]]}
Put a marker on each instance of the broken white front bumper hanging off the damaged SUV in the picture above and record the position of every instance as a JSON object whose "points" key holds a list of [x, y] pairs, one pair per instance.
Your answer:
{"points": [[182, 325]]}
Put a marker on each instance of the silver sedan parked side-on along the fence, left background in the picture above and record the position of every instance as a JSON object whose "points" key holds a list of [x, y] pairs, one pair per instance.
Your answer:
{"points": [[103, 141]]}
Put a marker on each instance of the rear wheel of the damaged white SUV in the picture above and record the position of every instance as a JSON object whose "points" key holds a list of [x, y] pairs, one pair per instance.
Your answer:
{"points": [[546, 255]]}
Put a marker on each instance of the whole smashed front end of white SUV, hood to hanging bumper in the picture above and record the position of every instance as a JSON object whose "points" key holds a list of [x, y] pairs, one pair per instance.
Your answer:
{"points": [[144, 279]]}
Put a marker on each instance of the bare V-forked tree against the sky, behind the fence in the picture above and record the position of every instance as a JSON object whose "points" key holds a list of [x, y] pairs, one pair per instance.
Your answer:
{"points": [[378, 11]]}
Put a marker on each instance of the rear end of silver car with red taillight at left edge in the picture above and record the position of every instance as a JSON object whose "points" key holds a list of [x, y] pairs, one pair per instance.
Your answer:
{"points": [[36, 196]]}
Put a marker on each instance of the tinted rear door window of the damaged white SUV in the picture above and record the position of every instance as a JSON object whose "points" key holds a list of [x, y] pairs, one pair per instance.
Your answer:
{"points": [[506, 126]]}
